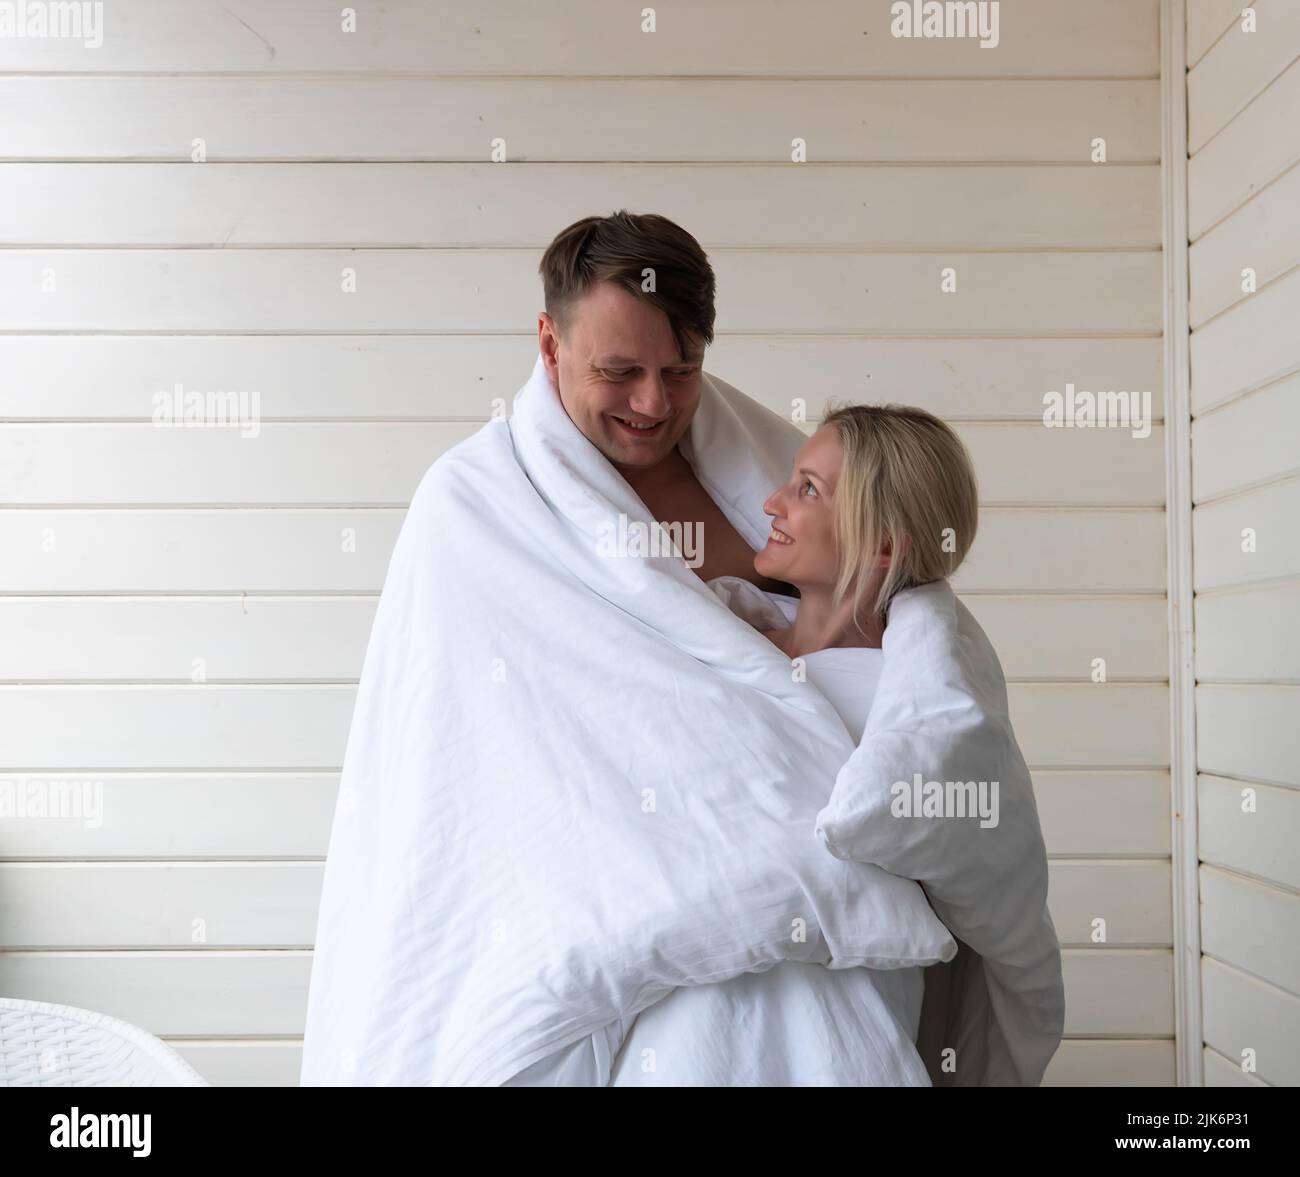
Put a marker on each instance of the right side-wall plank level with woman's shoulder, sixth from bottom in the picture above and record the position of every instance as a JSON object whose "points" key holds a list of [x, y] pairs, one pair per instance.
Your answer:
{"points": [[1250, 635]]}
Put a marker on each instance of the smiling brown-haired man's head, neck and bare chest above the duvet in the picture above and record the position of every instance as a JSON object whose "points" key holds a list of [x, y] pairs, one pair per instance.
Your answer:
{"points": [[630, 311]]}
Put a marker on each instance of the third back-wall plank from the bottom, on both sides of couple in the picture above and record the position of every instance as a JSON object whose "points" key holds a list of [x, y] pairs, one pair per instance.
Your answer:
{"points": [[275, 905]]}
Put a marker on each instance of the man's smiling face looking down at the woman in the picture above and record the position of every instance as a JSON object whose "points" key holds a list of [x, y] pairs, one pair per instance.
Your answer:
{"points": [[618, 369]]}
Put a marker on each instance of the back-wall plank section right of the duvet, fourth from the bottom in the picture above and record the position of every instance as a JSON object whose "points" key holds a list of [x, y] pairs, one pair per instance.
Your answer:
{"points": [[1104, 815]]}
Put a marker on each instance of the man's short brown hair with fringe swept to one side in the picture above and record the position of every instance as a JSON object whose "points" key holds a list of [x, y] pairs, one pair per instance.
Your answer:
{"points": [[621, 249]]}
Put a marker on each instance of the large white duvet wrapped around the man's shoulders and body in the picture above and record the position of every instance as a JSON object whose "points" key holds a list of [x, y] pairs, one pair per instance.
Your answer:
{"points": [[575, 782]]}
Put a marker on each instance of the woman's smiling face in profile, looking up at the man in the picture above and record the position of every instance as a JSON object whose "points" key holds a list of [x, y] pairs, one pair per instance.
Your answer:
{"points": [[801, 549]]}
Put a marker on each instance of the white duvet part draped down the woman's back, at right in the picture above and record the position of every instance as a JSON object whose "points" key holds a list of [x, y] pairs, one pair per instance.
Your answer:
{"points": [[939, 728]]}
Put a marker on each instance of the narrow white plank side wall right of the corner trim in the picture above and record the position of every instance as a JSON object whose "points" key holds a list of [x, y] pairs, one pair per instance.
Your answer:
{"points": [[1243, 94]]}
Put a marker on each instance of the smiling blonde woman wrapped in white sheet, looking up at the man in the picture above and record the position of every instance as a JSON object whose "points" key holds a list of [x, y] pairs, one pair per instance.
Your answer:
{"points": [[879, 500]]}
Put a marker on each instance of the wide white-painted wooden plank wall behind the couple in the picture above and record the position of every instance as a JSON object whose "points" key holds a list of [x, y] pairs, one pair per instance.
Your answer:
{"points": [[135, 555]]}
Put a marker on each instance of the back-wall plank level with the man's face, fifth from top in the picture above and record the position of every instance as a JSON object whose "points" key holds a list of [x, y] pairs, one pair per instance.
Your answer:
{"points": [[401, 377]]}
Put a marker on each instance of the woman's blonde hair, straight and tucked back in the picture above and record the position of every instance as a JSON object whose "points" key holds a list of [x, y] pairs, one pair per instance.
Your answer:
{"points": [[907, 481]]}
